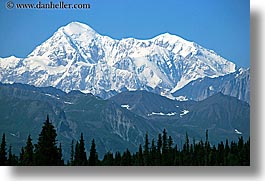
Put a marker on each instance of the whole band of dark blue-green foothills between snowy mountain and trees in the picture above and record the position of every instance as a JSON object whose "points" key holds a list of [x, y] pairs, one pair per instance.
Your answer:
{"points": [[120, 122]]}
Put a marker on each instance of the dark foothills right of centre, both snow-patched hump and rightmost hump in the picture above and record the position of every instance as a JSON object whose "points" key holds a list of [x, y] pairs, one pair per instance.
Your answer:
{"points": [[224, 116]]}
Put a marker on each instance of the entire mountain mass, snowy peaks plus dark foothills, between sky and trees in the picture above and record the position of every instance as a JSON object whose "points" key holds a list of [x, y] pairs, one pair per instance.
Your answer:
{"points": [[116, 91]]}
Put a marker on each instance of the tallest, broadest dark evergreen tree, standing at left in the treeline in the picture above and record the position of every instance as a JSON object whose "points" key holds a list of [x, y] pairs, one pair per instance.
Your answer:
{"points": [[46, 149]]}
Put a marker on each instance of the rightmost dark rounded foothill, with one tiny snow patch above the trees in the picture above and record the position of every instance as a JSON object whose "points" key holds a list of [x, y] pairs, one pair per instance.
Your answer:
{"points": [[225, 117]]}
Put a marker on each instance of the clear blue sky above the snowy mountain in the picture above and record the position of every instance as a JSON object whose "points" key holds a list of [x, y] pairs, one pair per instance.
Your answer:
{"points": [[220, 25]]}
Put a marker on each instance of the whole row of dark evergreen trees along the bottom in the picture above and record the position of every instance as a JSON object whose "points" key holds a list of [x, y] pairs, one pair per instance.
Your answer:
{"points": [[162, 152]]}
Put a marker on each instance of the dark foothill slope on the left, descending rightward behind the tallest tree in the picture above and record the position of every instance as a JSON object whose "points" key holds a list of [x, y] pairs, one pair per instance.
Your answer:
{"points": [[24, 108]]}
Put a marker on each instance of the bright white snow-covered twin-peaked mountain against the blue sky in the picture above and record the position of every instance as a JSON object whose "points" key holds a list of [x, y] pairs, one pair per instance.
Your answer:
{"points": [[77, 57]]}
